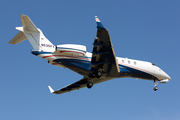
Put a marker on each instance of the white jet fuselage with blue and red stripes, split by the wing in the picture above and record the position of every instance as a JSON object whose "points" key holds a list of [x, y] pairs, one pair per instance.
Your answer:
{"points": [[128, 67]]}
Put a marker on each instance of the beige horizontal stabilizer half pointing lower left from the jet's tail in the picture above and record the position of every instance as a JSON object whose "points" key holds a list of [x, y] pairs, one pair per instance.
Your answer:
{"points": [[18, 38]]}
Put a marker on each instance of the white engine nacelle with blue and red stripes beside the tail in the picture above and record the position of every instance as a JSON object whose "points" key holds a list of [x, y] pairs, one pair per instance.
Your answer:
{"points": [[71, 49]]}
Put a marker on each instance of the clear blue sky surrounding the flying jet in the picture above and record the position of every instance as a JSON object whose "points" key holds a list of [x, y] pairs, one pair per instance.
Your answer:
{"points": [[139, 29]]}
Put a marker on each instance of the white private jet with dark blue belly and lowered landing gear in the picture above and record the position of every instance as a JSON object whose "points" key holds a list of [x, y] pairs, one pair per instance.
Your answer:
{"points": [[97, 66]]}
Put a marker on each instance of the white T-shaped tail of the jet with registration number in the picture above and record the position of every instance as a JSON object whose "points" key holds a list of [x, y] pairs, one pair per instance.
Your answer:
{"points": [[35, 36]]}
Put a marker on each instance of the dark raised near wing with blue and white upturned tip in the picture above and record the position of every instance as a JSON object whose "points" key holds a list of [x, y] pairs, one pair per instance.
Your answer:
{"points": [[103, 55]]}
